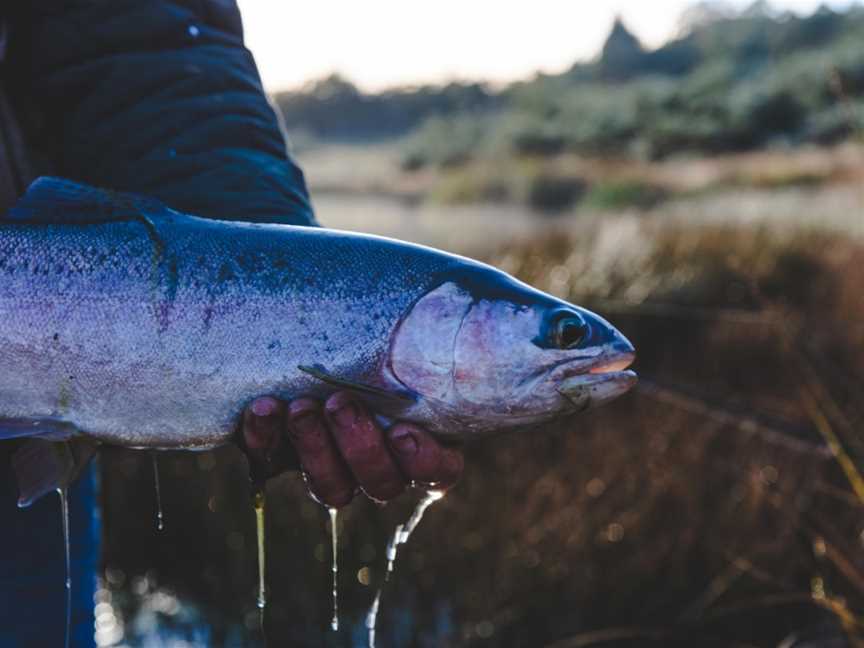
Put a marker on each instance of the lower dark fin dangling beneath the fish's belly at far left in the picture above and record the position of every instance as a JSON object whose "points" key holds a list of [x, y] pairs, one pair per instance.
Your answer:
{"points": [[41, 466]]}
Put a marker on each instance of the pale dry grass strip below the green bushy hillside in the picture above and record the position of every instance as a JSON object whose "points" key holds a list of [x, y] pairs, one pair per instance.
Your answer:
{"points": [[374, 169]]}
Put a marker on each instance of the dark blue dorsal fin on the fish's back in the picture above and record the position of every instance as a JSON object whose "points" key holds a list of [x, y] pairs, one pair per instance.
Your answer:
{"points": [[64, 202]]}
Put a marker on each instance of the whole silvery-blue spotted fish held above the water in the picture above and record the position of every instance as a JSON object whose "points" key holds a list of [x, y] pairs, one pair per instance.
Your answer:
{"points": [[125, 322]]}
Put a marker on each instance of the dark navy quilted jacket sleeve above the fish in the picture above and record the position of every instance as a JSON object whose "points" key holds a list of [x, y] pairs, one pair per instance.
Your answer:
{"points": [[158, 97]]}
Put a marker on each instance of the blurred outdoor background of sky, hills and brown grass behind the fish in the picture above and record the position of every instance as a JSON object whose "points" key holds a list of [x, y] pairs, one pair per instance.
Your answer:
{"points": [[693, 172]]}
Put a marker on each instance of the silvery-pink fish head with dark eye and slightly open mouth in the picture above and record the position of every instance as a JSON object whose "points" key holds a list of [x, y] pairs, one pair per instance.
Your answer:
{"points": [[496, 353]]}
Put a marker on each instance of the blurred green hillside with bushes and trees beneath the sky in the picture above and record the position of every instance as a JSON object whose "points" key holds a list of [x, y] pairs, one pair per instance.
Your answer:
{"points": [[729, 82]]}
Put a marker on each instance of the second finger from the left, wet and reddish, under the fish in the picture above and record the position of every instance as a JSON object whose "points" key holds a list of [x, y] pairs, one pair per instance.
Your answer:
{"points": [[328, 478]]}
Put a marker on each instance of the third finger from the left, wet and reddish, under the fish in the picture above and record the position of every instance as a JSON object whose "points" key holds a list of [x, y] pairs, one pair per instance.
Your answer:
{"points": [[361, 443]]}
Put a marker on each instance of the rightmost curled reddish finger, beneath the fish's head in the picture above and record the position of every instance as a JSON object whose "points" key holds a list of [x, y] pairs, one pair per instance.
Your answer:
{"points": [[422, 458]]}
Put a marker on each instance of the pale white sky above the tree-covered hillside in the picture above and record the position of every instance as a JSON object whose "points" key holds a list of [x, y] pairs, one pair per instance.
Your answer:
{"points": [[382, 43]]}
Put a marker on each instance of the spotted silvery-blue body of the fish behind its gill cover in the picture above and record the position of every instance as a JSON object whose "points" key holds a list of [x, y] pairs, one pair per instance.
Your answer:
{"points": [[139, 326]]}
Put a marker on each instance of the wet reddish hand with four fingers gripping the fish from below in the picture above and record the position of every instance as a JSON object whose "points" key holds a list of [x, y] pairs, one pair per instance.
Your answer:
{"points": [[340, 447]]}
